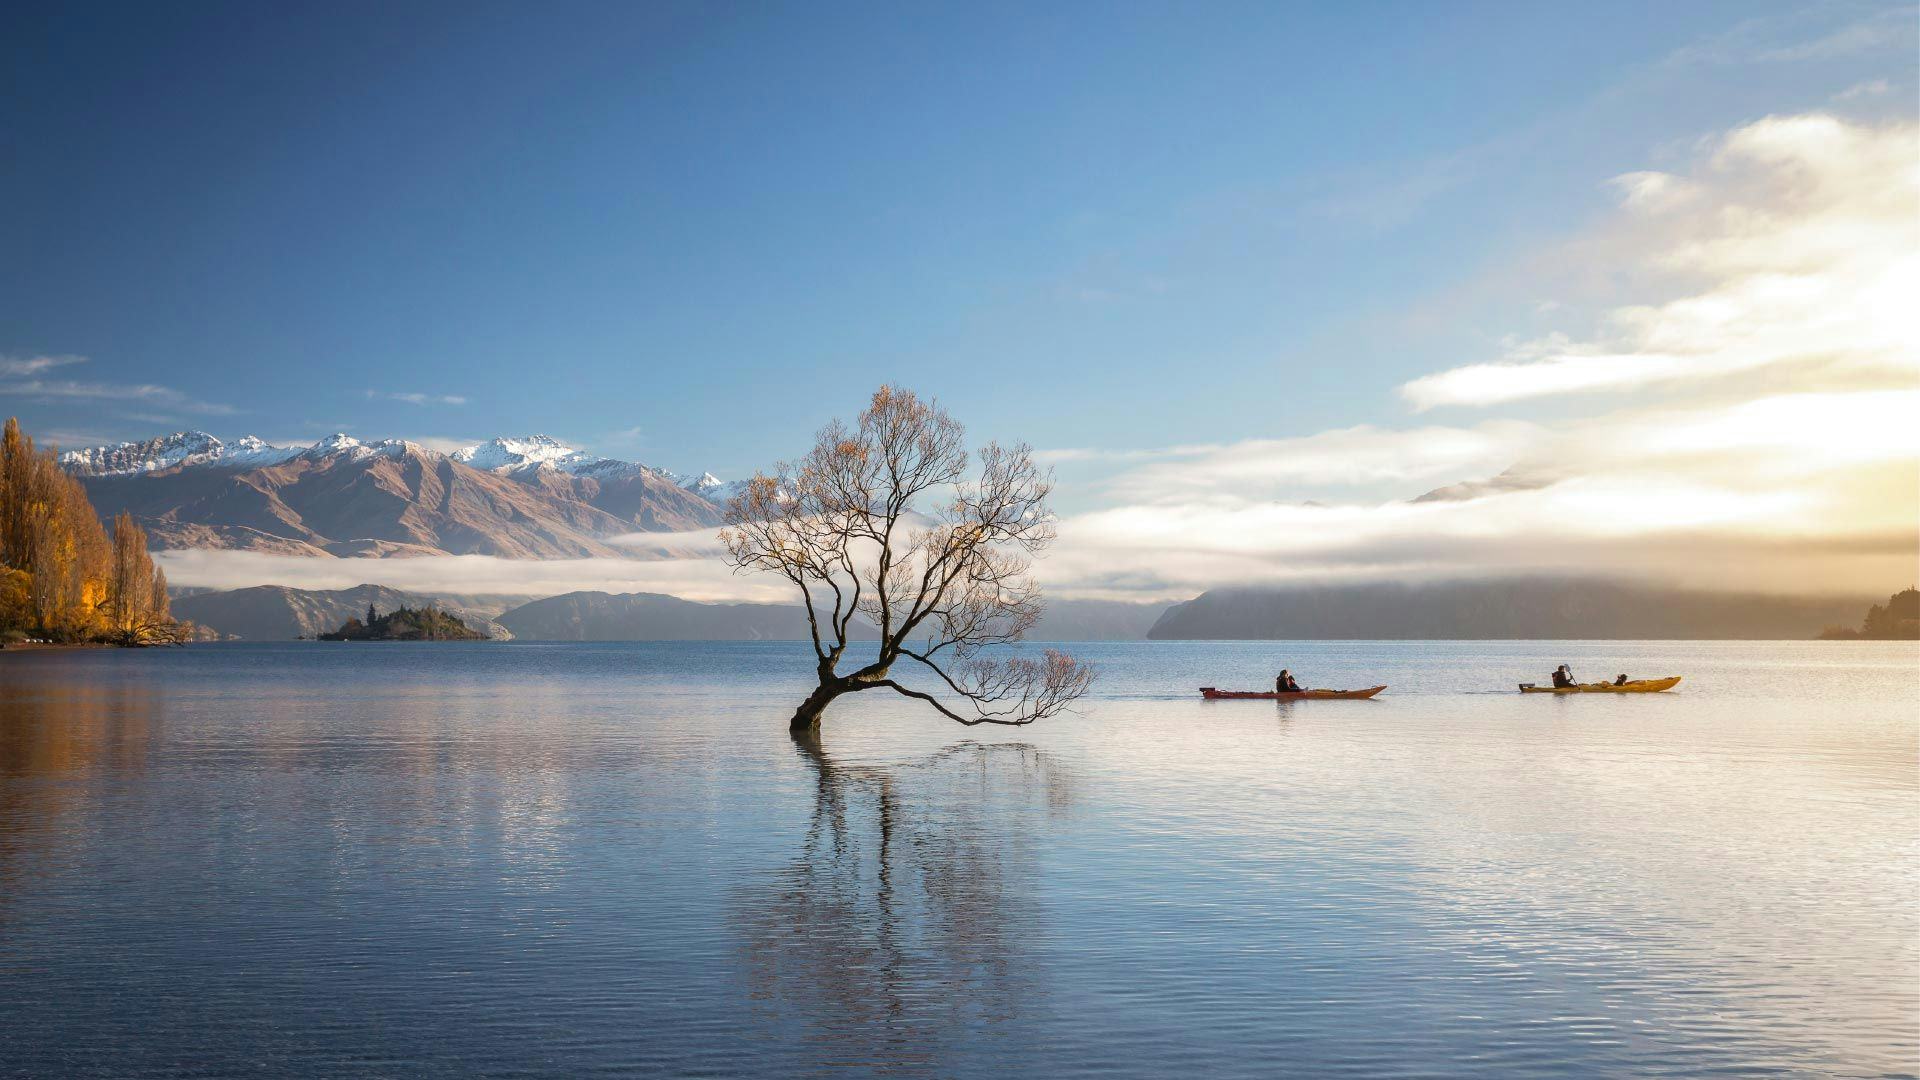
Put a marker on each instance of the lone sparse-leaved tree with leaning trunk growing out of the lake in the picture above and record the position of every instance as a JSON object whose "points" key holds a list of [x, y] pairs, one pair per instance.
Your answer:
{"points": [[940, 583]]}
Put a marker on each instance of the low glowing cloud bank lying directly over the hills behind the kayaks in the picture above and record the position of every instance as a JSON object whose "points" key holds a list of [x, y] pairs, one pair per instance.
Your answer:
{"points": [[1794, 493]]}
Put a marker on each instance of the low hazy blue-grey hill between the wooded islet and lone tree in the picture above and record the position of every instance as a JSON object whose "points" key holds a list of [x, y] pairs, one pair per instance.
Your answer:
{"points": [[654, 618]]}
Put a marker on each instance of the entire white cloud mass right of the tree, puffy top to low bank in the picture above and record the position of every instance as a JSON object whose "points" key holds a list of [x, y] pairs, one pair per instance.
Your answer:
{"points": [[1775, 356]]}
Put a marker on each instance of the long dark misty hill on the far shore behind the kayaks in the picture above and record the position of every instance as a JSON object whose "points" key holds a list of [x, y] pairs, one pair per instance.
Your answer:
{"points": [[1497, 610]]}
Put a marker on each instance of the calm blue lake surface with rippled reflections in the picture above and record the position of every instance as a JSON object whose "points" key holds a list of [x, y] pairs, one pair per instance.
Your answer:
{"points": [[529, 860]]}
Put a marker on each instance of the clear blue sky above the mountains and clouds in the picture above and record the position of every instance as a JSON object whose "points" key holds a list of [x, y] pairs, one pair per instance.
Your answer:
{"points": [[692, 233]]}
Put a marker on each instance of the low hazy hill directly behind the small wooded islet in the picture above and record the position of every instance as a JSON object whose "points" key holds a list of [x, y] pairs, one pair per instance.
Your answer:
{"points": [[279, 614]]}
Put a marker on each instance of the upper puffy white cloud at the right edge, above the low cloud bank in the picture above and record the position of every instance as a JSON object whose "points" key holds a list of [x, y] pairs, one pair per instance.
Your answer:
{"points": [[1800, 249]]}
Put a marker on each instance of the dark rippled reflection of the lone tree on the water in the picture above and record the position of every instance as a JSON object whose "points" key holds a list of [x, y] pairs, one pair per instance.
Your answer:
{"points": [[901, 925]]}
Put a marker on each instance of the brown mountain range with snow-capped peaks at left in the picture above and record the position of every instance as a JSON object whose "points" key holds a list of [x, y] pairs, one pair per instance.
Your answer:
{"points": [[529, 497]]}
